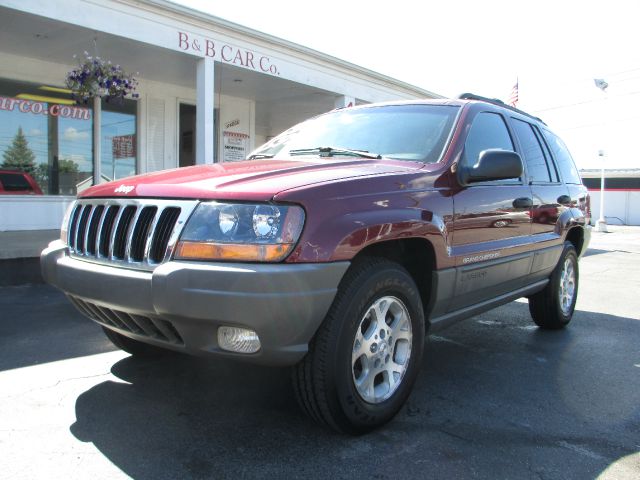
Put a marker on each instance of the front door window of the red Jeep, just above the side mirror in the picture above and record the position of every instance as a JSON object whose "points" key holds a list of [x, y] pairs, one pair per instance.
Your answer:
{"points": [[488, 131]]}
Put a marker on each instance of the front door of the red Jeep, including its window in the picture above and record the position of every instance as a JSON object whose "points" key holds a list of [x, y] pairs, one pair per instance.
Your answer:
{"points": [[491, 221]]}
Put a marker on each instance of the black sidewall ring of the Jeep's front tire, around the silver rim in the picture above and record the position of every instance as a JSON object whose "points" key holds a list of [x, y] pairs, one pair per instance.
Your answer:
{"points": [[389, 281]]}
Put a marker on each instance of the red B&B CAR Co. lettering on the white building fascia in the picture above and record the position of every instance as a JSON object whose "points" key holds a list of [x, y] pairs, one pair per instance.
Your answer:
{"points": [[226, 53]]}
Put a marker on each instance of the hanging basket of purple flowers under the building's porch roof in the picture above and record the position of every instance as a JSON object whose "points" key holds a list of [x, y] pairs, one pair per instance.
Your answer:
{"points": [[95, 77]]}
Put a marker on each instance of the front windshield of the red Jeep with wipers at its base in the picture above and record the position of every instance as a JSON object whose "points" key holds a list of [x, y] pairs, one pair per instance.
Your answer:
{"points": [[403, 132]]}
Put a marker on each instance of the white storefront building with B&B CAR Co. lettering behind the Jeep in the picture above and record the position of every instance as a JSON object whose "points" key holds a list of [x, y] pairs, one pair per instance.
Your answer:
{"points": [[204, 84]]}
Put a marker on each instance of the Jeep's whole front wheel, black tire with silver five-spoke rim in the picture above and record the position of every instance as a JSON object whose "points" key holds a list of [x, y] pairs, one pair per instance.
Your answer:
{"points": [[364, 359]]}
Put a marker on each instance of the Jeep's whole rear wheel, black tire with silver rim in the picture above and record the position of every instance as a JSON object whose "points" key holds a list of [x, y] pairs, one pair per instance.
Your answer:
{"points": [[553, 307]]}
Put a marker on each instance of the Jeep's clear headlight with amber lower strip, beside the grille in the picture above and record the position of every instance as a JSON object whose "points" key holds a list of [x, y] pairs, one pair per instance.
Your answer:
{"points": [[240, 232]]}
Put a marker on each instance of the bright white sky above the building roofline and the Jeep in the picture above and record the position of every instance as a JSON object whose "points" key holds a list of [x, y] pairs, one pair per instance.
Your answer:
{"points": [[554, 49]]}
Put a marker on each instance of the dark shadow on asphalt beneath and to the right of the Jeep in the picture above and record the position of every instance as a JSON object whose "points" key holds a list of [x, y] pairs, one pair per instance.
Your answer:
{"points": [[496, 398]]}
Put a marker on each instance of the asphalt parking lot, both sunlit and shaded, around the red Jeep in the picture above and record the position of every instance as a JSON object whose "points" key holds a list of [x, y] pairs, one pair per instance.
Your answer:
{"points": [[496, 398]]}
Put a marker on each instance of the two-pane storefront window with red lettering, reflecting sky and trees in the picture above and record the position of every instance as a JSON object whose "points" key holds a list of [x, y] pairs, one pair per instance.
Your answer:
{"points": [[44, 133]]}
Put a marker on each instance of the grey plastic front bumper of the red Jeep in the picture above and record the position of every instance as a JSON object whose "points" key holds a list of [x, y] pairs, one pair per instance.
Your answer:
{"points": [[180, 305]]}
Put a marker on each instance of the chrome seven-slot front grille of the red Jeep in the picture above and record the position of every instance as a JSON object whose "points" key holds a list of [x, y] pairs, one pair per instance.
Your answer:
{"points": [[126, 232]]}
